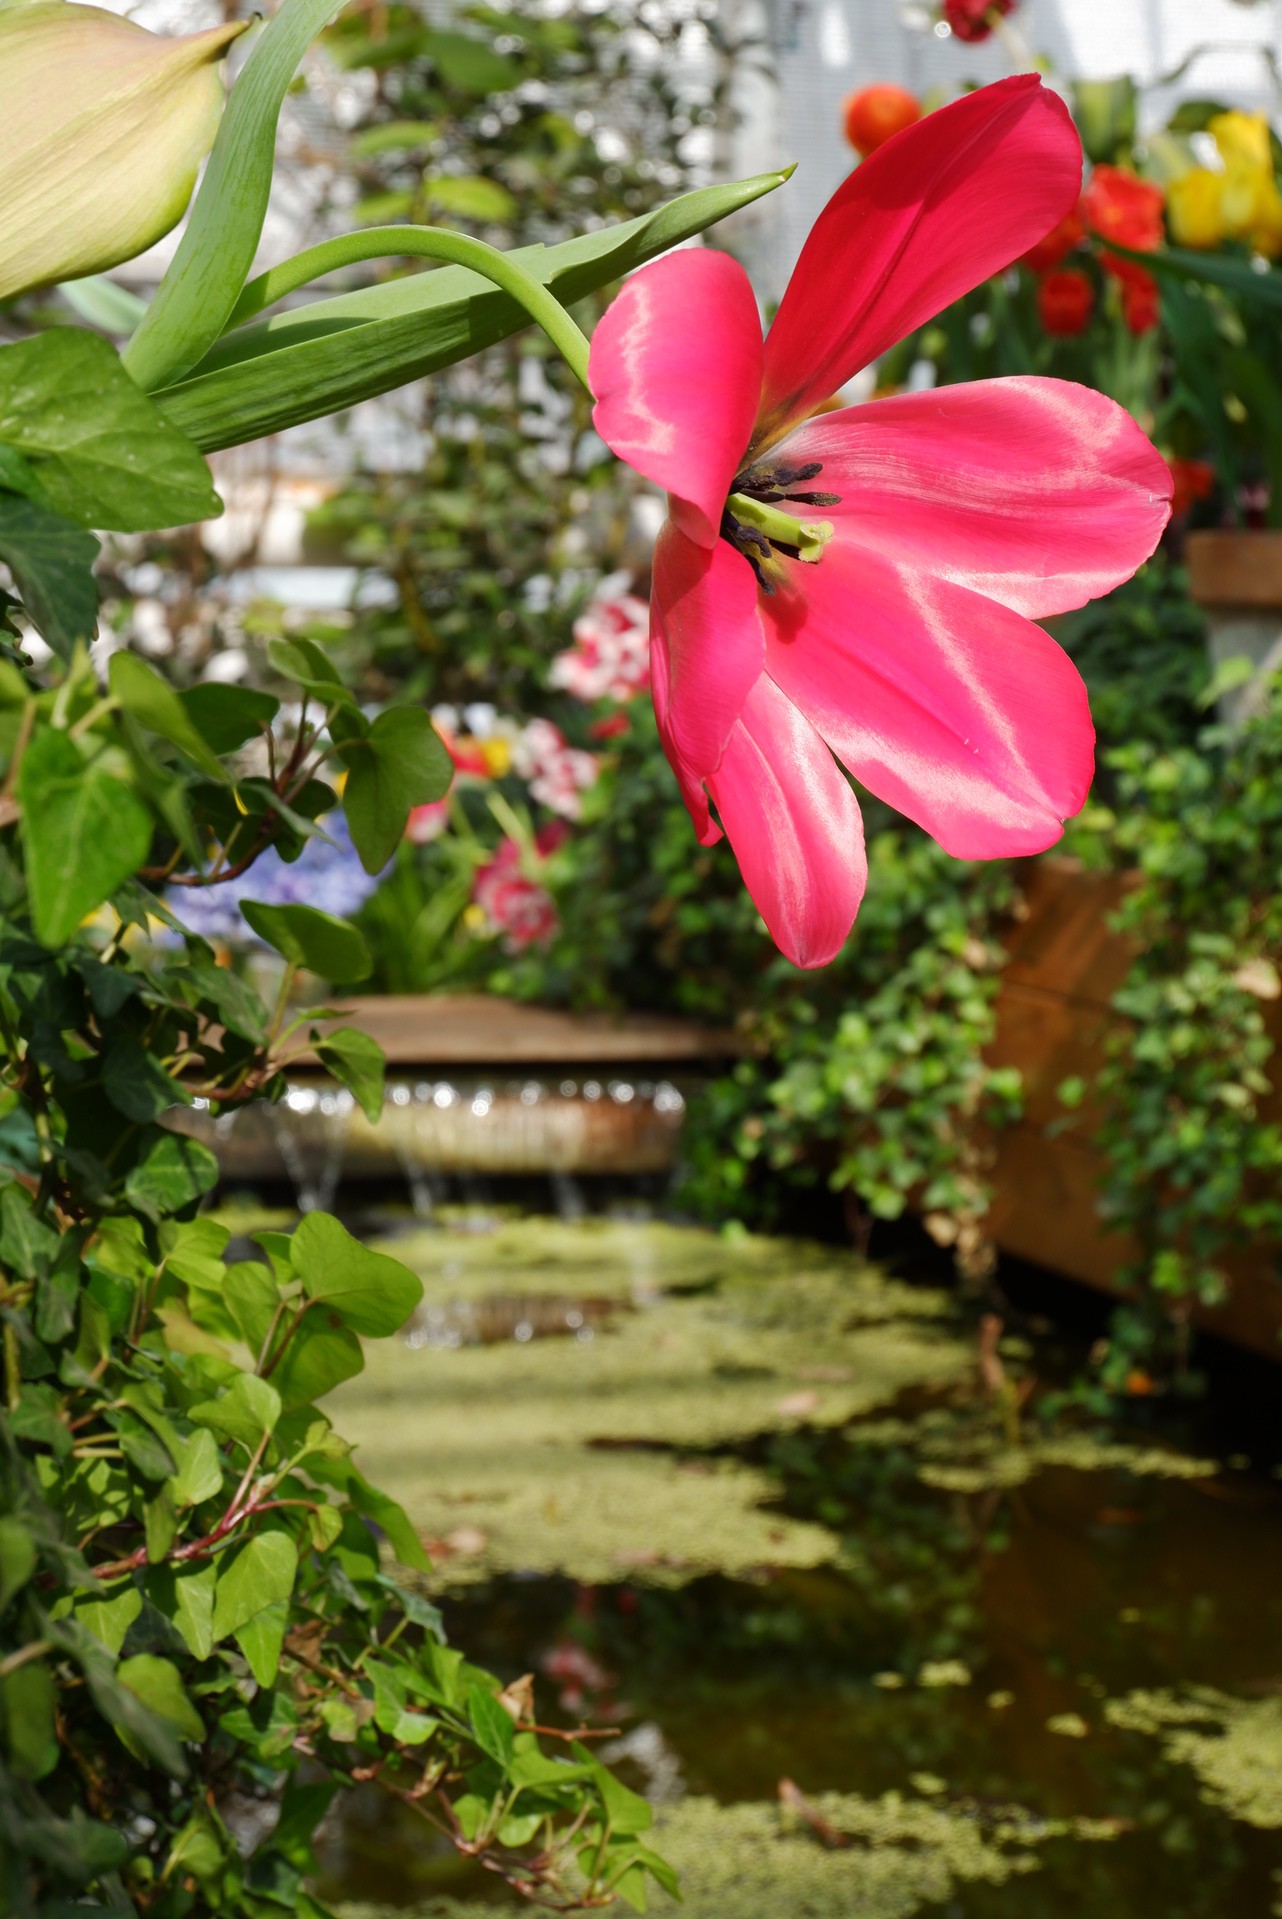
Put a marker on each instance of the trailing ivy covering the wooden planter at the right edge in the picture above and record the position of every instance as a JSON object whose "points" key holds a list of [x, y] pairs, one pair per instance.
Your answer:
{"points": [[1195, 1164]]}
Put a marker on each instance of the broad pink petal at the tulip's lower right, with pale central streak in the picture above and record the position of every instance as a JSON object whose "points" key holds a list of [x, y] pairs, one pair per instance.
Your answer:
{"points": [[947, 705]]}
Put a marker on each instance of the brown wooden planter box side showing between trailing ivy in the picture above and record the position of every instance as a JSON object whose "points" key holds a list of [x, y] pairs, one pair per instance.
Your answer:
{"points": [[1053, 1018]]}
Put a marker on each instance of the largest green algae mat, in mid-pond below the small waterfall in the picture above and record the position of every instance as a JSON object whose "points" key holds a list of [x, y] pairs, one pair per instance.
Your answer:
{"points": [[565, 1456]]}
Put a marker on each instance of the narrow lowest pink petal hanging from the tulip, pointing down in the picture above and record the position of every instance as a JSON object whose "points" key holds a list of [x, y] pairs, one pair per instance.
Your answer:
{"points": [[795, 828]]}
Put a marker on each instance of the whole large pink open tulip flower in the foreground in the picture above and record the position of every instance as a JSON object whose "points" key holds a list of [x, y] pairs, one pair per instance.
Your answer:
{"points": [[868, 580]]}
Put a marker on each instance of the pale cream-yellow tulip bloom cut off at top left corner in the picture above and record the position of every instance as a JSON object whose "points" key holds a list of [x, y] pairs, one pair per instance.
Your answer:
{"points": [[105, 131]]}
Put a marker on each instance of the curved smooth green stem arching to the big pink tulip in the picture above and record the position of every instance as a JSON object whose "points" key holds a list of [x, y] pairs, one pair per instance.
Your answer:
{"points": [[421, 243]]}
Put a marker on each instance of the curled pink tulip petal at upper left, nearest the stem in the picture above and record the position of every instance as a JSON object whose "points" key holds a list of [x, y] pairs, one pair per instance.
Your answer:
{"points": [[677, 369]]}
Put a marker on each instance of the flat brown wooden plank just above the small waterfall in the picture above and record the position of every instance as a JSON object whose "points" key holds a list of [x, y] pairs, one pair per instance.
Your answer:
{"points": [[485, 1031]]}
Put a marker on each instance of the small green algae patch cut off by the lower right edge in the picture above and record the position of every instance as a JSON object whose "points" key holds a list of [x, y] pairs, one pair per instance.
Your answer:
{"points": [[1233, 1745]]}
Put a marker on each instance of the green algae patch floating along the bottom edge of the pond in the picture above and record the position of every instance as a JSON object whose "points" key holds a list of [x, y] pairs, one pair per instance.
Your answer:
{"points": [[897, 1857]]}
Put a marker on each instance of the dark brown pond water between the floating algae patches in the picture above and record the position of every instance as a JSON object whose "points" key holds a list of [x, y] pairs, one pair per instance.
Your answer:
{"points": [[970, 1646]]}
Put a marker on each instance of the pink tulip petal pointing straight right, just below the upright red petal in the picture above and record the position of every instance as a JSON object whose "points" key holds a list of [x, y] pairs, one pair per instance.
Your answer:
{"points": [[1033, 492]]}
